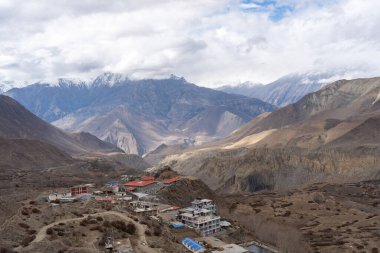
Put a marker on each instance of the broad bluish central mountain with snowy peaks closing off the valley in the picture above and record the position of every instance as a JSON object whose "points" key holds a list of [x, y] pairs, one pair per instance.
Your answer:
{"points": [[138, 116]]}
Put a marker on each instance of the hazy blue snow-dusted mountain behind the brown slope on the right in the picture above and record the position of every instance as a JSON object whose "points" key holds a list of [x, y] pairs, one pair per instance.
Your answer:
{"points": [[286, 90]]}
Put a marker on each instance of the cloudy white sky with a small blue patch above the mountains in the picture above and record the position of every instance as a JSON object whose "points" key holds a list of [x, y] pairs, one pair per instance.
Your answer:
{"points": [[209, 42]]}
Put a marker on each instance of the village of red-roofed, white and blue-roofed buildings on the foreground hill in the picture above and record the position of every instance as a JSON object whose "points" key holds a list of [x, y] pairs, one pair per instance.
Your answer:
{"points": [[196, 226]]}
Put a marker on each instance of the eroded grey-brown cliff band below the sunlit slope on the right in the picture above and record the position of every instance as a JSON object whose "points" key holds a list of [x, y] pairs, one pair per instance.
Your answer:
{"points": [[279, 169]]}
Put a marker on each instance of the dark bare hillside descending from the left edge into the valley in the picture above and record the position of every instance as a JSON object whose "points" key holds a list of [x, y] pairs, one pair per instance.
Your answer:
{"points": [[16, 122]]}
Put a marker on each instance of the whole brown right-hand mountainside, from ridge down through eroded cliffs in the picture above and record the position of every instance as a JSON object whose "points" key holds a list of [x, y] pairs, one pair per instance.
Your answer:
{"points": [[330, 135]]}
